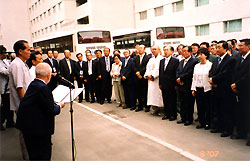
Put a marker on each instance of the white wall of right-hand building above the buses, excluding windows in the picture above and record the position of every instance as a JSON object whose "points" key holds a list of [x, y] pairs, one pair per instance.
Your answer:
{"points": [[214, 14]]}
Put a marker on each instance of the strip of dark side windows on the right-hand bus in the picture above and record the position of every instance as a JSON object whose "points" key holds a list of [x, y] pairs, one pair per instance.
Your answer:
{"points": [[128, 41]]}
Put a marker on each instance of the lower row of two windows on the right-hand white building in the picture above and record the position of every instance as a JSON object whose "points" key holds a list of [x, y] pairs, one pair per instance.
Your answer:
{"points": [[229, 26]]}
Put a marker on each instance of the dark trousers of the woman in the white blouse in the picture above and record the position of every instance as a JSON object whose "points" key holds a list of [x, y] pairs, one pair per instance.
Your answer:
{"points": [[203, 100]]}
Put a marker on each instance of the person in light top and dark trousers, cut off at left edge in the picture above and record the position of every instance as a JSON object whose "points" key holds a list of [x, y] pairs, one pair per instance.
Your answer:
{"points": [[5, 113]]}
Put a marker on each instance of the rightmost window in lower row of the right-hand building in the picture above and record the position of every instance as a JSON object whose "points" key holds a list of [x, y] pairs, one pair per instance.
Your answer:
{"points": [[233, 26]]}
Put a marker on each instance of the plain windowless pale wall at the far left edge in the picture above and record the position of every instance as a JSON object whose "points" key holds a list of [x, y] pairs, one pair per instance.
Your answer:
{"points": [[14, 22]]}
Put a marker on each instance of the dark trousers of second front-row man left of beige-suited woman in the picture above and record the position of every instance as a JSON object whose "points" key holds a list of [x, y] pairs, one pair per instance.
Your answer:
{"points": [[90, 88]]}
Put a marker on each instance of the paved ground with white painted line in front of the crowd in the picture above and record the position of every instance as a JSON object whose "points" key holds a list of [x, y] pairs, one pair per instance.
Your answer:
{"points": [[105, 132]]}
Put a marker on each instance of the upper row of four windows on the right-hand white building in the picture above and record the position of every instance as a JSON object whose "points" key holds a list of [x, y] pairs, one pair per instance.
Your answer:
{"points": [[176, 7]]}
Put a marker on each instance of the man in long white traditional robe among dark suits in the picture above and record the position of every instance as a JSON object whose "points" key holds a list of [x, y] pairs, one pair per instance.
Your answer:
{"points": [[152, 74]]}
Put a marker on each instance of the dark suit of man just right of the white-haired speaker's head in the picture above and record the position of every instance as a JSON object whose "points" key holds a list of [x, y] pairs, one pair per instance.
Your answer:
{"points": [[55, 69]]}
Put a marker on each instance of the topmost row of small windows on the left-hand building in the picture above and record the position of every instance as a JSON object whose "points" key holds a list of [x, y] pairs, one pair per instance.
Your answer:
{"points": [[49, 12]]}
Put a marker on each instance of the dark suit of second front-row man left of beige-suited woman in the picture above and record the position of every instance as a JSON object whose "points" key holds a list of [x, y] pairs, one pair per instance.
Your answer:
{"points": [[90, 87]]}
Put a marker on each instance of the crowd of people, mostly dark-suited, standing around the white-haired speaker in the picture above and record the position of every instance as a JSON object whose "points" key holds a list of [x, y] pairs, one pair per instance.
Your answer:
{"points": [[215, 75]]}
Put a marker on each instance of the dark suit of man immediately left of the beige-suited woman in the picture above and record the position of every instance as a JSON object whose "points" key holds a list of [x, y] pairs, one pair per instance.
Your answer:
{"points": [[106, 79]]}
